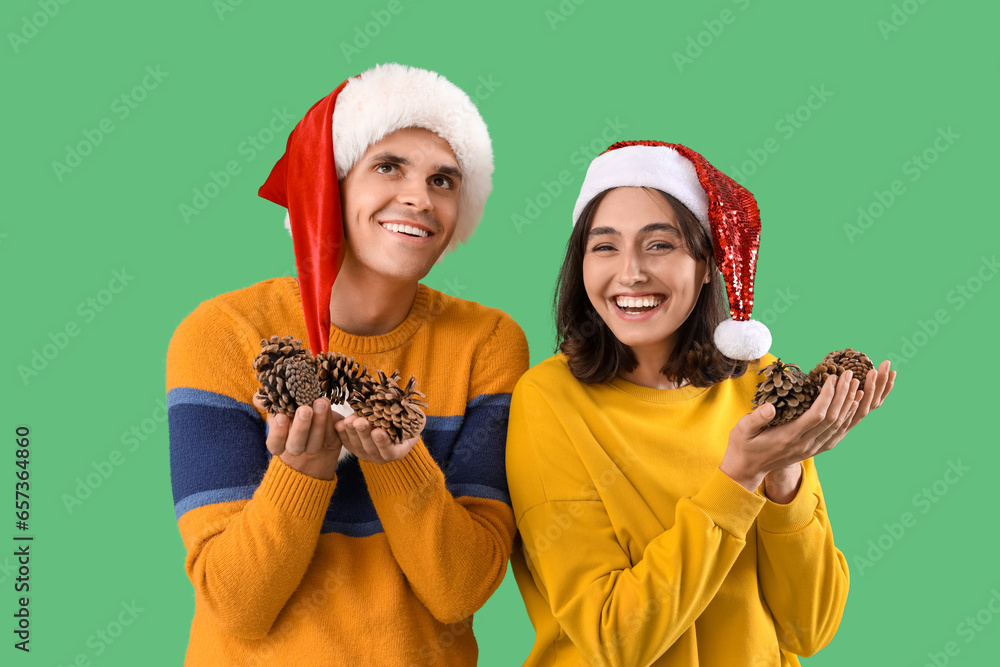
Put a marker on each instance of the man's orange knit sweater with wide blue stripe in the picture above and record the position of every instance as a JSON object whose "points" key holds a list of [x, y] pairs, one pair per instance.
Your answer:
{"points": [[383, 565]]}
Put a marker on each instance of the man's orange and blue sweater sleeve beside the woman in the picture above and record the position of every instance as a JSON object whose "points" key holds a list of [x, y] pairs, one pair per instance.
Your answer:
{"points": [[451, 529]]}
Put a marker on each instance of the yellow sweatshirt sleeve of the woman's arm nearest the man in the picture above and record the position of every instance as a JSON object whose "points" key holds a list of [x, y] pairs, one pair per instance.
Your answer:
{"points": [[615, 611]]}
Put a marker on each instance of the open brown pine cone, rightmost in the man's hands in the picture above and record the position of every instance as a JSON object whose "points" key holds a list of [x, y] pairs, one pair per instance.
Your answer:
{"points": [[388, 406]]}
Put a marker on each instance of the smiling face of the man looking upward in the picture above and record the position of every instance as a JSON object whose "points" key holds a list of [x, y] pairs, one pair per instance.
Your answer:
{"points": [[400, 205]]}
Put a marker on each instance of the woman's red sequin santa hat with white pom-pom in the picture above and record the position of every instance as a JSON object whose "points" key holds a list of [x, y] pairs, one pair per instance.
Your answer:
{"points": [[725, 209]]}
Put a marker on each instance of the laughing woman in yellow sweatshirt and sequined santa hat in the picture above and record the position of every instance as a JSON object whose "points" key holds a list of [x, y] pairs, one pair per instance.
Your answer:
{"points": [[661, 524]]}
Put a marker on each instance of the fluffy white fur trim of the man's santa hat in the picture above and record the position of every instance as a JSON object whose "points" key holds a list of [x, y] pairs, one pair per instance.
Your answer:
{"points": [[391, 97]]}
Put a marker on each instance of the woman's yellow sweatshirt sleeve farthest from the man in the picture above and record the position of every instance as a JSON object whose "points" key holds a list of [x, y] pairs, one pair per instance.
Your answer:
{"points": [[803, 576]]}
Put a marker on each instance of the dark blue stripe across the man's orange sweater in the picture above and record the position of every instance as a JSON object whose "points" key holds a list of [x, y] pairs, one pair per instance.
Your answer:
{"points": [[218, 454]]}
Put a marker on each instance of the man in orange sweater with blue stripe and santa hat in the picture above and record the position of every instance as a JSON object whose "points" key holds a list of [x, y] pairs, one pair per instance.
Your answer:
{"points": [[298, 552]]}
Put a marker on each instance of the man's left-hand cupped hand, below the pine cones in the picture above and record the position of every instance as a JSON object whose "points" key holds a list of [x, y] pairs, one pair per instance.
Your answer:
{"points": [[309, 443]]}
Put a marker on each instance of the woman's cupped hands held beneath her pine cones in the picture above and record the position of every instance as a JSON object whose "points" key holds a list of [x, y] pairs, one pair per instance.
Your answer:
{"points": [[772, 455]]}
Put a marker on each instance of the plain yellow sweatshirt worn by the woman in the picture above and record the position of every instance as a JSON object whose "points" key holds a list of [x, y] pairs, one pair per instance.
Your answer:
{"points": [[635, 549]]}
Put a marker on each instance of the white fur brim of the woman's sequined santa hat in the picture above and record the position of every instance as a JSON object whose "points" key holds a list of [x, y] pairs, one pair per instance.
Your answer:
{"points": [[658, 167]]}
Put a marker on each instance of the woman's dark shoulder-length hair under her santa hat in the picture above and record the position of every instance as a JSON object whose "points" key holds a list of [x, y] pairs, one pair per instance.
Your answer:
{"points": [[595, 355]]}
